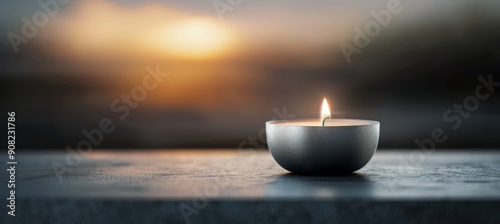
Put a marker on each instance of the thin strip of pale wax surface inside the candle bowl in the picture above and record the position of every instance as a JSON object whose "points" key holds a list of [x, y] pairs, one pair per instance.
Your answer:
{"points": [[328, 122]]}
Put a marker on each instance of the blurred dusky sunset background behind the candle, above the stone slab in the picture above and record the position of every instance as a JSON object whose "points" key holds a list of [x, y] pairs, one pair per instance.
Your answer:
{"points": [[230, 65]]}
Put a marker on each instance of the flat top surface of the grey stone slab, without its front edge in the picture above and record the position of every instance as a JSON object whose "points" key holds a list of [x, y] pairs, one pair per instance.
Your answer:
{"points": [[450, 175]]}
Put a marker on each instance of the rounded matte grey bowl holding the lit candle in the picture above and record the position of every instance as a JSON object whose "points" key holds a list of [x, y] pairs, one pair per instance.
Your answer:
{"points": [[315, 150]]}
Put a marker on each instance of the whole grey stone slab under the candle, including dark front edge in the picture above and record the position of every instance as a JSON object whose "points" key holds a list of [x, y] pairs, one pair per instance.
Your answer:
{"points": [[249, 180]]}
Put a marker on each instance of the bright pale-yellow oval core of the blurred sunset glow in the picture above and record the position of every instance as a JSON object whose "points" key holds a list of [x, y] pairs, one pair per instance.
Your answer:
{"points": [[194, 38]]}
